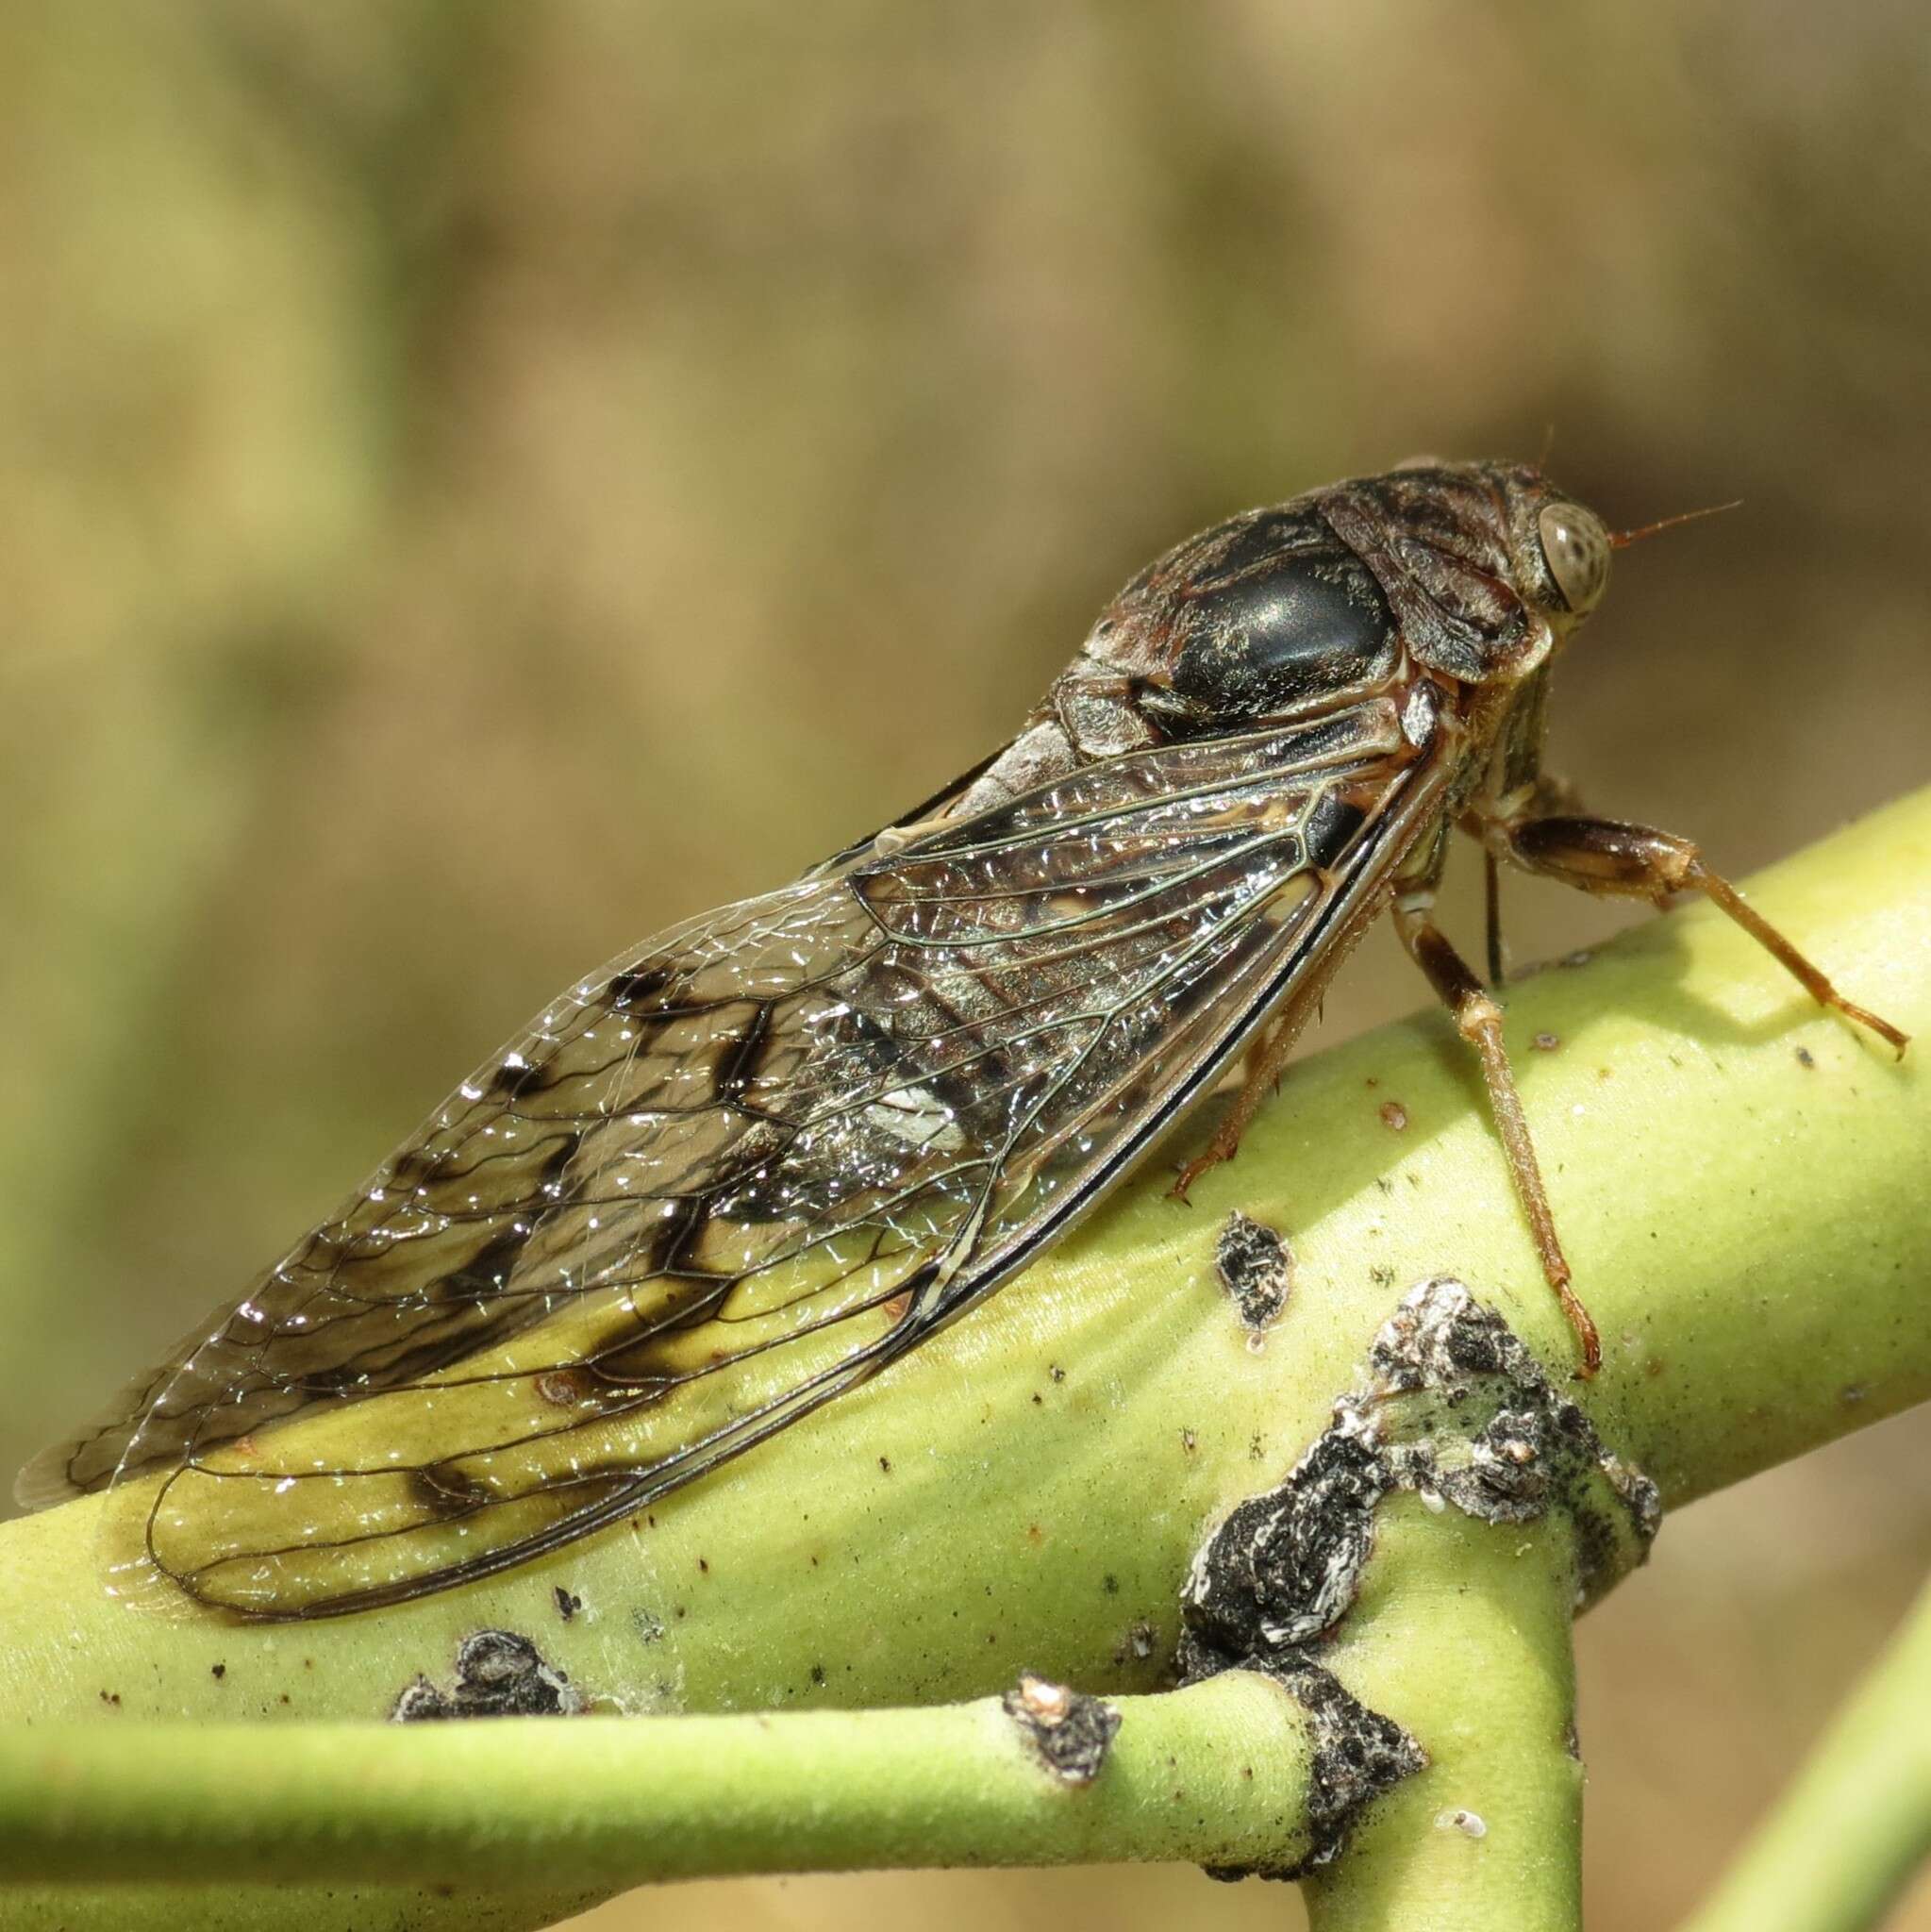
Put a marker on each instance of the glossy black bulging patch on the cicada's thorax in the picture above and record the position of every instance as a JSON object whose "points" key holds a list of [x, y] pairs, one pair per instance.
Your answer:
{"points": [[1281, 637]]}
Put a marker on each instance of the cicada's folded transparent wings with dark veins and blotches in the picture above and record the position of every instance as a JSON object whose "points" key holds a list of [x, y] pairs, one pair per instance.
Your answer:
{"points": [[744, 1168]]}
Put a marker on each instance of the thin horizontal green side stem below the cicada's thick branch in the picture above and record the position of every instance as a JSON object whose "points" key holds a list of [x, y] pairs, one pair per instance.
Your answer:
{"points": [[679, 1798]]}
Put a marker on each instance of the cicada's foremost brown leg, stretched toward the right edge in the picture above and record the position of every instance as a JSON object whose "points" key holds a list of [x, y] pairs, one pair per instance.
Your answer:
{"points": [[1619, 861]]}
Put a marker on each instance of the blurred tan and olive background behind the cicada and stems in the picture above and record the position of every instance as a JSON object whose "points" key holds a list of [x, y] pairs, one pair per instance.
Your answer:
{"points": [[480, 482]]}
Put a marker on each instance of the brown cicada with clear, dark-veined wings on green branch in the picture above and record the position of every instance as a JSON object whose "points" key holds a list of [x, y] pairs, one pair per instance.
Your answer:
{"points": [[771, 1151]]}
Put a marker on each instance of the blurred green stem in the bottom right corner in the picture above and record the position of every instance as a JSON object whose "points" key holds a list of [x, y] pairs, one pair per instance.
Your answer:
{"points": [[1857, 1825]]}
